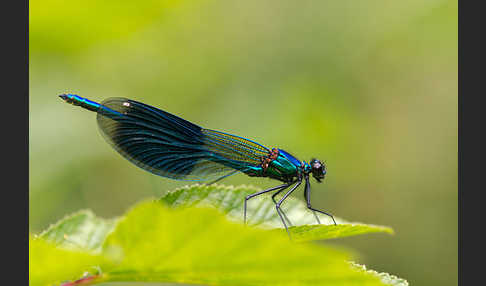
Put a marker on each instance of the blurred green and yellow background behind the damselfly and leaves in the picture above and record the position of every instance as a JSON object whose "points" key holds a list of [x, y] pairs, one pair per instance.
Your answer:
{"points": [[368, 86]]}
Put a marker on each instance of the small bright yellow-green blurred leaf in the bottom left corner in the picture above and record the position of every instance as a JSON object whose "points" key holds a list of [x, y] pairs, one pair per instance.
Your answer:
{"points": [[51, 265]]}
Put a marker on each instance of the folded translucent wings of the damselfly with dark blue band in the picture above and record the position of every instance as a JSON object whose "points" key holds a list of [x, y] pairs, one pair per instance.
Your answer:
{"points": [[169, 146]]}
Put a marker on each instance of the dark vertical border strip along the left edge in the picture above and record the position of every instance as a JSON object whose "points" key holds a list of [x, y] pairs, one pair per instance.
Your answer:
{"points": [[15, 145]]}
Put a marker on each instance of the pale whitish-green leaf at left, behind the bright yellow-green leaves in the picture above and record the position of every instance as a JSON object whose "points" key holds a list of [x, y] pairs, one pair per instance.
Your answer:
{"points": [[81, 230]]}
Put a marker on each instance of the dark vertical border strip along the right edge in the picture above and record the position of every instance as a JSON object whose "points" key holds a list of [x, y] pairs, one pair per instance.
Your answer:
{"points": [[471, 143]]}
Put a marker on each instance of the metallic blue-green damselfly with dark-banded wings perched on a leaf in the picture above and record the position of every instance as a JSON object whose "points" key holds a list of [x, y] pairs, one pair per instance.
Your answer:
{"points": [[169, 146]]}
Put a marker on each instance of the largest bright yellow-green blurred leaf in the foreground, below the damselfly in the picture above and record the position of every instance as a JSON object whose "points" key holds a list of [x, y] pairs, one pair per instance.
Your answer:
{"points": [[200, 246]]}
